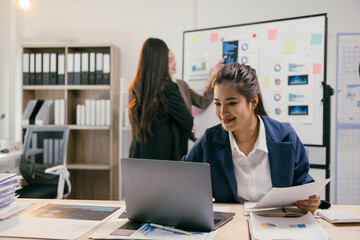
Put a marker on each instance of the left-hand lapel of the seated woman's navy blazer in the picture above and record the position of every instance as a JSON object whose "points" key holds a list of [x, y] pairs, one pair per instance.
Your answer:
{"points": [[225, 158]]}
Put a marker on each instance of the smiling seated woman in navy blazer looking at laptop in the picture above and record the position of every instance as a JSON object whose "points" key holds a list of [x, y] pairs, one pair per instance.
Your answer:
{"points": [[249, 153]]}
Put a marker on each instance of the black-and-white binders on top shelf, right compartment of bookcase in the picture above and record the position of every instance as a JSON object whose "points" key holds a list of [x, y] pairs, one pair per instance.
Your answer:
{"points": [[88, 68]]}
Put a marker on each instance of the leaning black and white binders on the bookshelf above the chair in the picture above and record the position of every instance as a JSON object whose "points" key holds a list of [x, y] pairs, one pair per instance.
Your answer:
{"points": [[43, 112]]}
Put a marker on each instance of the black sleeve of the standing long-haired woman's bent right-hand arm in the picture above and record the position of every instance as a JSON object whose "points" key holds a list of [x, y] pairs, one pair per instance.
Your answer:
{"points": [[177, 109]]}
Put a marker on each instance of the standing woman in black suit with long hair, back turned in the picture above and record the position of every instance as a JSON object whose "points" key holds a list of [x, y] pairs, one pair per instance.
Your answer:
{"points": [[156, 109]]}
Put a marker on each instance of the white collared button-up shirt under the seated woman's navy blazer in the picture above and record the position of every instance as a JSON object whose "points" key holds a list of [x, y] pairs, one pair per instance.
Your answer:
{"points": [[252, 172]]}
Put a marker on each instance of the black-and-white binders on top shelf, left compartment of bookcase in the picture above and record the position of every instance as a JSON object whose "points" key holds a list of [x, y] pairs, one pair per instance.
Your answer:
{"points": [[43, 69]]}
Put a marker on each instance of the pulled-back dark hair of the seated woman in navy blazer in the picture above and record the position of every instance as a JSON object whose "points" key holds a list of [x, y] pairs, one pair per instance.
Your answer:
{"points": [[243, 78]]}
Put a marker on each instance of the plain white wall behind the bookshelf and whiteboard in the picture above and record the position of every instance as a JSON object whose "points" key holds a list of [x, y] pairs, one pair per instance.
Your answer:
{"points": [[127, 23]]}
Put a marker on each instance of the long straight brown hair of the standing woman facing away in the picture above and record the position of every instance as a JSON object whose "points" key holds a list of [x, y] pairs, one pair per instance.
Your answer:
{"points": [[146, 91]]}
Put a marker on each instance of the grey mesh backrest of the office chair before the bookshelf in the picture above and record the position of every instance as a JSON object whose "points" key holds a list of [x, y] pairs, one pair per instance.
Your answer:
{"points": [[44, 147]]}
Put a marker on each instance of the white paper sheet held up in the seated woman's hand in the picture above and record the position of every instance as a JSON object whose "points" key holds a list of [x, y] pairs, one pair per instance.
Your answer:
{"points": [[280, 197]]}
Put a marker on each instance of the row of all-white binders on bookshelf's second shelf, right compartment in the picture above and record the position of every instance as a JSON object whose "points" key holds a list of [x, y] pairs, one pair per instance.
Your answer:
{"points": [[95, 112]]}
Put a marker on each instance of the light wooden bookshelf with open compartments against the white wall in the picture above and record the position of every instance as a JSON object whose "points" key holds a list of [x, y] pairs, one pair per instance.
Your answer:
{"points": [[93, 149]]}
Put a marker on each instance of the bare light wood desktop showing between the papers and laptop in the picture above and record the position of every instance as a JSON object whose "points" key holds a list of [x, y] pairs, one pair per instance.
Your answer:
{"points": [[238, 227]]}
